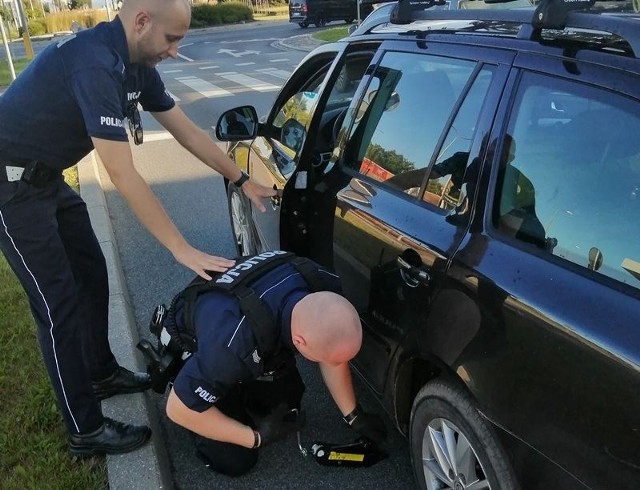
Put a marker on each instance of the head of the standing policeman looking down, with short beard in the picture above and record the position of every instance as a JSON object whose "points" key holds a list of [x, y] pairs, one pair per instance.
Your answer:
{"points": [[154, 28]]}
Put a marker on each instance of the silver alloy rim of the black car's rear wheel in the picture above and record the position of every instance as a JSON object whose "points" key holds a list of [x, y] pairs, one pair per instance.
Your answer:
{"points": [[449, 461]]}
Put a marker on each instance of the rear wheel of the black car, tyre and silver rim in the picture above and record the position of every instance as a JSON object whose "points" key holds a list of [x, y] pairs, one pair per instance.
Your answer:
{"points": [[452, 446]]}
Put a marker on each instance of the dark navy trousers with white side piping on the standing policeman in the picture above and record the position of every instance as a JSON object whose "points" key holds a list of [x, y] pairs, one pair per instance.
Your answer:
{"points": [[47, 239]]}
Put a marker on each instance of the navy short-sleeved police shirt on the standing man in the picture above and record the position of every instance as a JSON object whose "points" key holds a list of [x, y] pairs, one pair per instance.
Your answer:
{"points": [[77, 88]]}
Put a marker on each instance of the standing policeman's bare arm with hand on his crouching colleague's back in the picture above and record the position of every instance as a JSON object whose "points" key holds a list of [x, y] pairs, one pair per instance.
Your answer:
{"points": [[118, 161]]}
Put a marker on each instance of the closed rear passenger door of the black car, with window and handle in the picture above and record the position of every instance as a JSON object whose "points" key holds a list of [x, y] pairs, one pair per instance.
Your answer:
{"points": [[401, 187]]}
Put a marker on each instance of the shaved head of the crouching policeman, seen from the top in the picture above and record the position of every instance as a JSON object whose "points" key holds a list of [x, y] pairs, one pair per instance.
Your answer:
{"points": [[325, 327]]}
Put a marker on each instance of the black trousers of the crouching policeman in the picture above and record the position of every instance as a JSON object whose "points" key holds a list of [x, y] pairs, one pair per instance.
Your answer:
{"points": [[247, 402]]}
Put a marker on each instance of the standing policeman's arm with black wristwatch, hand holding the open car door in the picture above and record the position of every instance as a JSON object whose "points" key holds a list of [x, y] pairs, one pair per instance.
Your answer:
{"points": [[203, 147]]}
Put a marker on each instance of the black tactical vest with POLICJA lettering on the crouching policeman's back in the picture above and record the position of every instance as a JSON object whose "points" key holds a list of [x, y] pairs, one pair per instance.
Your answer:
{"points": [[235, 281]]}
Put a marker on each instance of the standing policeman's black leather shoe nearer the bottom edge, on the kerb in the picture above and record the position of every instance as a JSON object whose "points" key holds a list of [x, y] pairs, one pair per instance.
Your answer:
{"points": [[112, 438]]}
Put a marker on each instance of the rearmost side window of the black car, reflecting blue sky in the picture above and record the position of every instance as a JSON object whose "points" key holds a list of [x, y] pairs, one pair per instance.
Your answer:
{"points": [[570, 175]]}
